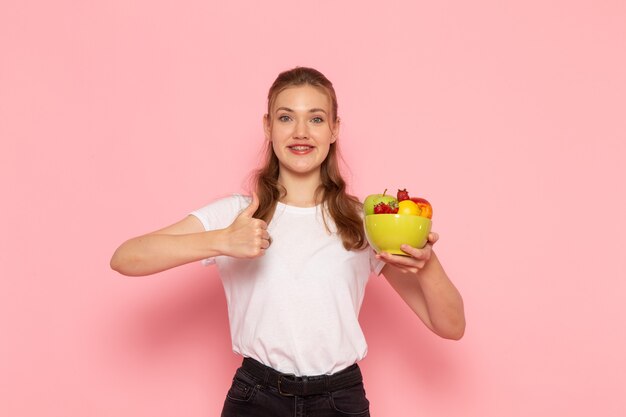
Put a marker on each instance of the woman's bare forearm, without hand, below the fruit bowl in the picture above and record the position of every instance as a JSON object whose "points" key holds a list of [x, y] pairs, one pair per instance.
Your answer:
{"points": [[443, 301]]}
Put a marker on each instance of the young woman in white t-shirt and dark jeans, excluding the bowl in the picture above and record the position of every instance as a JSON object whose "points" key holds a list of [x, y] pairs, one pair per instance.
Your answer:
{"points": [[294, 262]]}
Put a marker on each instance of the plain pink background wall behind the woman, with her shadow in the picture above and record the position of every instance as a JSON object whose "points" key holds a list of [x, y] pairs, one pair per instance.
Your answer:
{"points": [[119, 117]]}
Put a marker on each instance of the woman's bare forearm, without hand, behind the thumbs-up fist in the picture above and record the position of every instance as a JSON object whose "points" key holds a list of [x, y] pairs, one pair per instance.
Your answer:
{"points": [[152, 253]]}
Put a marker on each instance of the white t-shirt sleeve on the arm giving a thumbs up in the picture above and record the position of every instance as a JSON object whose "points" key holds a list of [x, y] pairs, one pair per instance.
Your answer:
{"points": [[220, 214]]}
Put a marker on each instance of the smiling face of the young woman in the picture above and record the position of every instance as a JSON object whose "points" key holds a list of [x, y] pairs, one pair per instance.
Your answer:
{"points": [[301, 129]]}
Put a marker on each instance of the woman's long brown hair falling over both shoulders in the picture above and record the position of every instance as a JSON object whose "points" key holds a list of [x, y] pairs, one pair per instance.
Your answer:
{"points": [[344, 209]]}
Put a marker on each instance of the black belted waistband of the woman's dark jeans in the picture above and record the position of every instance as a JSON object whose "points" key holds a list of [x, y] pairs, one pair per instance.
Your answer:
{"points": [[291, 385]]}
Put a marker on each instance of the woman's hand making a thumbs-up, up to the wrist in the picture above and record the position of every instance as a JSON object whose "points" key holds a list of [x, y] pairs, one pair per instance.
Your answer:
{"points": [[247, 237]]}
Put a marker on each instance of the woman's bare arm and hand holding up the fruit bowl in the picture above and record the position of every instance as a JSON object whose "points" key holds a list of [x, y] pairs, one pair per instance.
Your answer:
{"points": [[424, 285]]}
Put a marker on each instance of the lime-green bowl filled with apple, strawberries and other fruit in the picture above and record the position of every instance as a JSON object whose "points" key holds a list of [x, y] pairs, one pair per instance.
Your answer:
{"points": [[392, 221]]}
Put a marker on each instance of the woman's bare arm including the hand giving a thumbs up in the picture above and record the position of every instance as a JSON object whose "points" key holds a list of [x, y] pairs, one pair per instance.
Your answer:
{"points": [[186, 241]]}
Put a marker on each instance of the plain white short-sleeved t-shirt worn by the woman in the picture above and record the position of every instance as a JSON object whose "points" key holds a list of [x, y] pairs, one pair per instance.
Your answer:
{"points": [[296, 308]]}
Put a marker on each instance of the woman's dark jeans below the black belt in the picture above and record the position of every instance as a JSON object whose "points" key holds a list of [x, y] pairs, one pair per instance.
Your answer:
{"points": [[252, 396]]}
